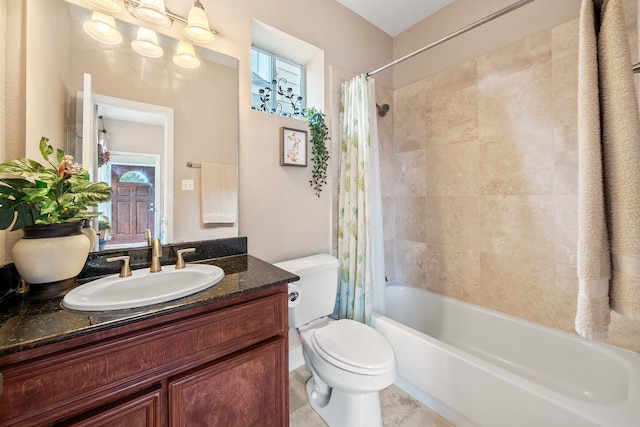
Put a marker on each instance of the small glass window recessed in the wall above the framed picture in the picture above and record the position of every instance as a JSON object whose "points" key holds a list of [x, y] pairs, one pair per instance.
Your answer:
{"points": [[277, 84]]}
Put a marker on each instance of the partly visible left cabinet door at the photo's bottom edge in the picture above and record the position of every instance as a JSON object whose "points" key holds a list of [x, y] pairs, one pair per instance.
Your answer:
{"points": [[142, 410]]}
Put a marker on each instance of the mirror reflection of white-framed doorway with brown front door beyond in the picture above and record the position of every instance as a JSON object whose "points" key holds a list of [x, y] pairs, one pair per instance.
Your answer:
{"points": [[134, 155]]}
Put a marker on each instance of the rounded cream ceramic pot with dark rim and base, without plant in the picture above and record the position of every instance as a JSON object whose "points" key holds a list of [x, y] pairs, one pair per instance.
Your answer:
{"points": [[49, 258]]}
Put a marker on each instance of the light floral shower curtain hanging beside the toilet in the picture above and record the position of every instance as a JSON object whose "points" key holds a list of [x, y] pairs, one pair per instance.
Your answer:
{"points": [[360, 239]]}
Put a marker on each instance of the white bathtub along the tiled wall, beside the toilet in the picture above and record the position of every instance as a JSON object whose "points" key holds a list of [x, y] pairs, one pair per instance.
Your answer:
{"points": [[478, 367]]}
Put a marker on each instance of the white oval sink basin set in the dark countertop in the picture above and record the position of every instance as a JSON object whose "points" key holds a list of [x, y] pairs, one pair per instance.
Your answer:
{"points": [[142, 288]]}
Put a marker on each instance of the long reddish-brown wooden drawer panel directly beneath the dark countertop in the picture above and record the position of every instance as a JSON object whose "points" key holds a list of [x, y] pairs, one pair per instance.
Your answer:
{"points": [[83, 379]]}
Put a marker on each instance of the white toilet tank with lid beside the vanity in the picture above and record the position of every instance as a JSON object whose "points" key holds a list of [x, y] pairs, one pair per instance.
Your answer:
{"points": [[318, 286]]}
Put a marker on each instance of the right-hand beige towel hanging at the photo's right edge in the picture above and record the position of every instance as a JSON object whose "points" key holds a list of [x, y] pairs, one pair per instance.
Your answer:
{"points": [[621, 152]]}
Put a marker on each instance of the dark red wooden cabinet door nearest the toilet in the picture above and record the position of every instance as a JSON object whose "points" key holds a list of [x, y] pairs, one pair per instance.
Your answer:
{"points": [[249, 389]]}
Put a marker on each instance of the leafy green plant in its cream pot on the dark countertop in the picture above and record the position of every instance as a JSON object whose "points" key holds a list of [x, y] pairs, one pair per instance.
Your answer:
{"points": [[49, 204]]}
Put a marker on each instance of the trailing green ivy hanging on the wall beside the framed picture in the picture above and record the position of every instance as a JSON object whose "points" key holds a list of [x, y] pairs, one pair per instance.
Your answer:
{"points": [[319, 150]]}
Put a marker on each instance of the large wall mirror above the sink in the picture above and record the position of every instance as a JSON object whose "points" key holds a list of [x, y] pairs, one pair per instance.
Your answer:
{"points": [[158, 117]]}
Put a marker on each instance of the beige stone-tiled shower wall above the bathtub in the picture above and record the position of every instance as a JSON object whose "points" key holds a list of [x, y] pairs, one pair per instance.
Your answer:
{"points": [[480, 181]]}
